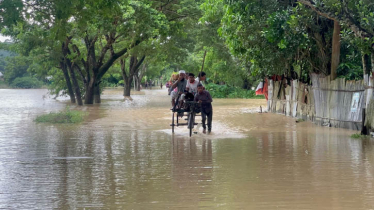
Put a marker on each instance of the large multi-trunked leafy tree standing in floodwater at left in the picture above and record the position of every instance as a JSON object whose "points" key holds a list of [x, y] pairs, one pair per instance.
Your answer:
{"points": [[108, 31]]}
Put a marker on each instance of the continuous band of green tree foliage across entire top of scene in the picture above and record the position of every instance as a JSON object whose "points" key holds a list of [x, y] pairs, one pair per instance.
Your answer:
{"points": [[243, 40]]}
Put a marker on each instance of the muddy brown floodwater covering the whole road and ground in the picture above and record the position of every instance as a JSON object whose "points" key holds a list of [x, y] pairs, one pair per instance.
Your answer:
{"points": [[124, 156]]}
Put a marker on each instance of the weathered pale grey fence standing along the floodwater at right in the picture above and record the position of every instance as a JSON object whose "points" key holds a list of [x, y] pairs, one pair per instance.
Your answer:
{"points": [[335, 103]]}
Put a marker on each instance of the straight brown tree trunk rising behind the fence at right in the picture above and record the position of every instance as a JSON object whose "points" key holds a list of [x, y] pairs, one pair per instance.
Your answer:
{"points": [[335, 57]]}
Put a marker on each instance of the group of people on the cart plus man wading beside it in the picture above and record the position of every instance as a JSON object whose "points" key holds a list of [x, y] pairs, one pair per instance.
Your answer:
{"points": [[185, 87]]}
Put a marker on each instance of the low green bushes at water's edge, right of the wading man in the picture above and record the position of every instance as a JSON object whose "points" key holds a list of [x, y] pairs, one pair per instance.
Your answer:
{"points": [[224, 91]]}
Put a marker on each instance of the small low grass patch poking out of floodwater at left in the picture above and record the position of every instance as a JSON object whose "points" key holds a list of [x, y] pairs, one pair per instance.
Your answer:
{"points": [[65, 116]]}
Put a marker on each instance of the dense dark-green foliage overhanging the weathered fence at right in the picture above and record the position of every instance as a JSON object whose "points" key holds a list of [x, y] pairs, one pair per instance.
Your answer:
{"points": [[278, 37]]}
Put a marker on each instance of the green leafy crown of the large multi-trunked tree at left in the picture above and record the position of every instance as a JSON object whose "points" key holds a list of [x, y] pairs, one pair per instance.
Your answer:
{"points": [[96, 33]]}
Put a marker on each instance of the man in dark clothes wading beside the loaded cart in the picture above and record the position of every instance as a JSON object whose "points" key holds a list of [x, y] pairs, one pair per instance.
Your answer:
{"points": [[205, 99]]}
